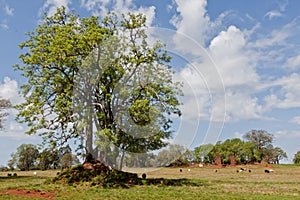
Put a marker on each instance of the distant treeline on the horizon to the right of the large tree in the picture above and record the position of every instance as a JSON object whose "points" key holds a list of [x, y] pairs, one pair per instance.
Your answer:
{"points": [[256, 147]]}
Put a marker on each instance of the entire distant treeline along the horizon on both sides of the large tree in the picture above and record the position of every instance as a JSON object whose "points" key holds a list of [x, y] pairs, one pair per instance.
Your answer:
{"points": [[256, 147]]}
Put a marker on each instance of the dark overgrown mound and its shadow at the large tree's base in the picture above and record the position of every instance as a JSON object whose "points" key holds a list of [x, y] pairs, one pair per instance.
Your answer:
{"points": [[100, 175]]}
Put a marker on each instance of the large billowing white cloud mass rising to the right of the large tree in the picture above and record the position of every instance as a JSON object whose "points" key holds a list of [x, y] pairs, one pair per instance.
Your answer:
{"points": [[231, 59]]}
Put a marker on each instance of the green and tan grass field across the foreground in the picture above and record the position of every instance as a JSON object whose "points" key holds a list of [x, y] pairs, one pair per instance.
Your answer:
{"points": [[196, 183]]}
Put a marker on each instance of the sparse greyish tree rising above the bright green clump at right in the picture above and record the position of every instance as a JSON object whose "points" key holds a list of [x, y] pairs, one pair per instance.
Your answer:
{"points": [[262, 140]]}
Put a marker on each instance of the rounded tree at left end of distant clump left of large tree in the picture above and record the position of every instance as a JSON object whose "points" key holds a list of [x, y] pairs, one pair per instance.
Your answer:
{"points": [[25, 157]]}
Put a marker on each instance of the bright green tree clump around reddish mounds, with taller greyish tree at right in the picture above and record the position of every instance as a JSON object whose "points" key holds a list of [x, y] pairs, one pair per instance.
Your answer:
{"points": [[258, 147]]}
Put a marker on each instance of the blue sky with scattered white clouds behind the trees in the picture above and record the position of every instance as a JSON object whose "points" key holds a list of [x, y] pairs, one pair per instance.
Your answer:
{"points": [[239, 62]]}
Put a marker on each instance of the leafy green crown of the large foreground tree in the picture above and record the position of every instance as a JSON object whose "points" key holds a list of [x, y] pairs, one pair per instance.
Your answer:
{"points": [[87, 76]]}
